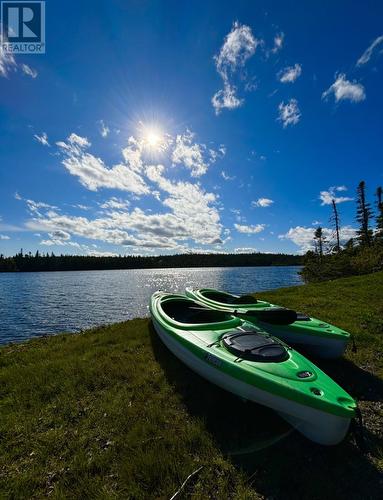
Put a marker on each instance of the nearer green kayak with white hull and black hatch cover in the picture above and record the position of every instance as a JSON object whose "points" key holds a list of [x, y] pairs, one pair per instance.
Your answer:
{"points": [[243, 359]]}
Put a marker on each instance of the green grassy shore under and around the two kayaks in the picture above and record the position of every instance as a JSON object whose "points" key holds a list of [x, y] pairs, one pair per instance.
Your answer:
{"points": [[110, 413]]}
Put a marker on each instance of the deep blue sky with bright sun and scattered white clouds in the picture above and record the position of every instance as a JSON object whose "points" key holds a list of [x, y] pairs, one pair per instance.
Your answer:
{"points": [[160, 127]]}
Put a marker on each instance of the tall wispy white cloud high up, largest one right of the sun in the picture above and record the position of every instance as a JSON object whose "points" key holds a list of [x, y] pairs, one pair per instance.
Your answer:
{"points": [[239, 45]]}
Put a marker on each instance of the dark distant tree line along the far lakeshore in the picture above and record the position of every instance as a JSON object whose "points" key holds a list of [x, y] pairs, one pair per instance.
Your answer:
{"points": [[27, 262]]}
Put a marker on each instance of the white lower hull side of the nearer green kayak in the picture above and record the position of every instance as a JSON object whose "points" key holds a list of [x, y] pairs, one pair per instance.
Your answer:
{"points": [[318, 426]]}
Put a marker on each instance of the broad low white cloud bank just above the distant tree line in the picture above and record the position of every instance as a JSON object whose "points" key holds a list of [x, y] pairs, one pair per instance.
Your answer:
{"points": [[190, 216]]}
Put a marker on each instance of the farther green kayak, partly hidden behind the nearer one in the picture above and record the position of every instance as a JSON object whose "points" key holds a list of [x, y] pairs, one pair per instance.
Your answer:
{"points": [[314, 336]]}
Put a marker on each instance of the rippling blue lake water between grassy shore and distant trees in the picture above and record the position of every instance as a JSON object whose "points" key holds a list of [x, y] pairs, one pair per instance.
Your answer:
{"points": [[33, 304]]}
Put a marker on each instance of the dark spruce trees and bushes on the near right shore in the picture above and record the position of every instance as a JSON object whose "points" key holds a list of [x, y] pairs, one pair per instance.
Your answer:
{"points": [[360, 255]]}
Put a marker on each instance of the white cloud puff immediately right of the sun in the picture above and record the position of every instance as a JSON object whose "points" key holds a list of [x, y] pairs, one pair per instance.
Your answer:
{"points": [[194, 156]]}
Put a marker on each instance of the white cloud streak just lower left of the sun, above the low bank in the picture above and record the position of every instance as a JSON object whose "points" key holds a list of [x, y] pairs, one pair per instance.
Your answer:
{"points": [[94, 174]]}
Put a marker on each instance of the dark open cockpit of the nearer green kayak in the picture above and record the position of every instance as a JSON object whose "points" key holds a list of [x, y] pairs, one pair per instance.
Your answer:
{"points": [[188, 312]]}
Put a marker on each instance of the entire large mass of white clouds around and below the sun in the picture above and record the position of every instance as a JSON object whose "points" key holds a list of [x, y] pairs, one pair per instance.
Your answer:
{"points": [[188, 213]]}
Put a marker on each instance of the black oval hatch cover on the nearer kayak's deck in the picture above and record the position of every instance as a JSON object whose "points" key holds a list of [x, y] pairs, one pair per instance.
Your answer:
{"points": [[255, 346]]}
